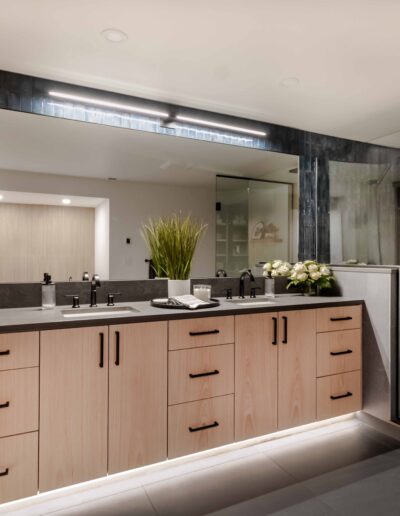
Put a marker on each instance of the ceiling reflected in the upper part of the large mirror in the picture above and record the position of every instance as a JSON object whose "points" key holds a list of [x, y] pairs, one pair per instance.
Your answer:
{"points": [[58, 146]]}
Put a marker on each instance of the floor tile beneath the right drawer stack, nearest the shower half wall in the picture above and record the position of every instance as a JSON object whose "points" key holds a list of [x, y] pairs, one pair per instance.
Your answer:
{"points": [[331, 452]]}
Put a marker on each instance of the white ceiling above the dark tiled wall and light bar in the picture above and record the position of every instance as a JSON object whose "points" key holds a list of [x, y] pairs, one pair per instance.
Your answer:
{"points": [[229, 56]]}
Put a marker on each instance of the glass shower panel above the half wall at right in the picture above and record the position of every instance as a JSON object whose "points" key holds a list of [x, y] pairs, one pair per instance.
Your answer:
{"points": [[364, 213]]}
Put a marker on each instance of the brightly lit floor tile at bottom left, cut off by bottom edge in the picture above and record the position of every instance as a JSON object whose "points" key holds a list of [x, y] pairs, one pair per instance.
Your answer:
{"points": [[131, 503]]}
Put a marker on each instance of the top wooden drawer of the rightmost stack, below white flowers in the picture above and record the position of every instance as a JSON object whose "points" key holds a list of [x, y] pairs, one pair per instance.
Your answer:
{"points": [[339, 318]]}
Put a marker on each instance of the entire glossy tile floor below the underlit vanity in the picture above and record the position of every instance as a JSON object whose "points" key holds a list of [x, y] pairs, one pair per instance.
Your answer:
{"points": [[345, 468]]}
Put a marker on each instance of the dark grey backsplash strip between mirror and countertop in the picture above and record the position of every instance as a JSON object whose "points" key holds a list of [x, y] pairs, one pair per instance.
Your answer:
{"points": [[22, 295]]}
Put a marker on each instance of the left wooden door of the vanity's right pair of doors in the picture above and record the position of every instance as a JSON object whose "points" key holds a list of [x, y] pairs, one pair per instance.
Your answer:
{"points": [[256, 365]]}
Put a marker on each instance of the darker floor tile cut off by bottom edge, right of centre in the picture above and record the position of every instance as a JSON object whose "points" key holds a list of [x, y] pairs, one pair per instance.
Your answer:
{"points": [[292, 500]]}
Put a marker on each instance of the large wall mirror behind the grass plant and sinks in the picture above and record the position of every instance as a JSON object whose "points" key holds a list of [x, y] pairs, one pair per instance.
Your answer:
{"points": [[75, 197]]}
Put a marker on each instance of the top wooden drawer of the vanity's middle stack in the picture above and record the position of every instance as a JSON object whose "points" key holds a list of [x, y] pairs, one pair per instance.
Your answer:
{"points": [[206, 331]]}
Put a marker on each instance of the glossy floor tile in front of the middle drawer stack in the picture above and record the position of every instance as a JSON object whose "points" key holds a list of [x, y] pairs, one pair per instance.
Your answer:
{"points": [[218, 487]]}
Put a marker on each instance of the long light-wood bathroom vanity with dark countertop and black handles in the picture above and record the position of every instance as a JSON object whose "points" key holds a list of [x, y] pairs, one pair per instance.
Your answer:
{"points": [[83, 398]]}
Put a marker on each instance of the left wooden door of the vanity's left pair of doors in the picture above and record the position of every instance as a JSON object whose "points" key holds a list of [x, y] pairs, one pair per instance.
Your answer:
{"points": [[73, 406]]}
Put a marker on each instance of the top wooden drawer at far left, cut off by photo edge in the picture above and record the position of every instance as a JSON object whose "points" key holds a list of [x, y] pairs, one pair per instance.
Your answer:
{"points": [[19, 350]]}
